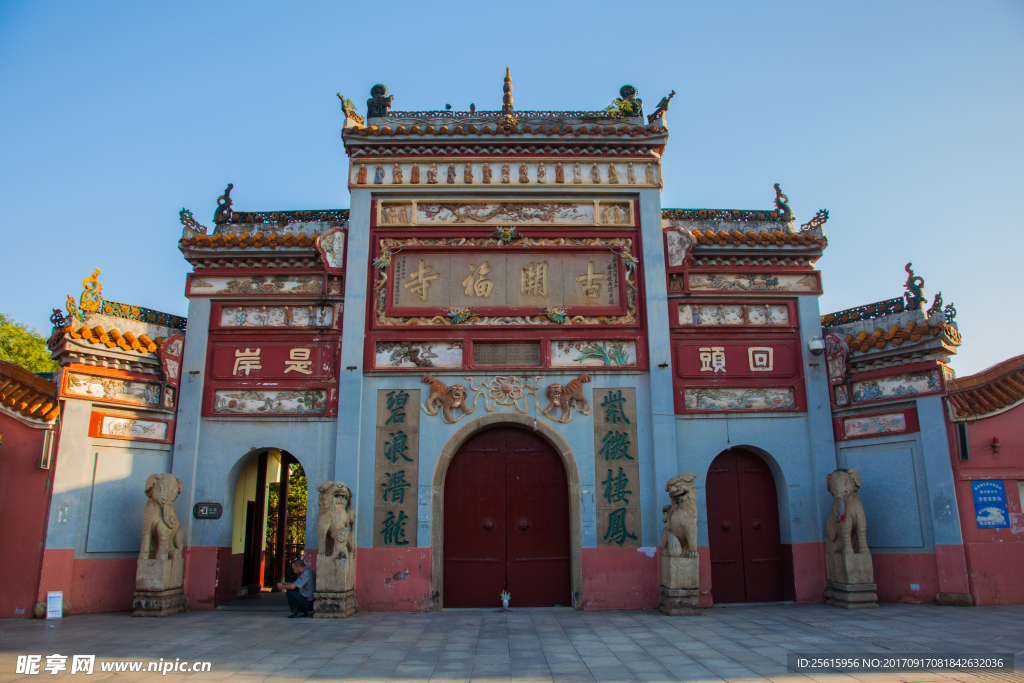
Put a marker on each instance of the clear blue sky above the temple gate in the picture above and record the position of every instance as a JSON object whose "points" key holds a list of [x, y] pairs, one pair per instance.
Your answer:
{"points": [[904, 119]]}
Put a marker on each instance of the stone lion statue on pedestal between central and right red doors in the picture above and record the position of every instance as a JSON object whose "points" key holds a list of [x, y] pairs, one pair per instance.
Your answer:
{"points": [[680, 567]]}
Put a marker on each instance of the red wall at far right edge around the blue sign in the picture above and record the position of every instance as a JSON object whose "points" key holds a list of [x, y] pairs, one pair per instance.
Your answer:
{"points": [[995, 558]]}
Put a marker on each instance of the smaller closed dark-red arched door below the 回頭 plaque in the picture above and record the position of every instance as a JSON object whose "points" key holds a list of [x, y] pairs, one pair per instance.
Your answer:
{"points": [[743, 530]]}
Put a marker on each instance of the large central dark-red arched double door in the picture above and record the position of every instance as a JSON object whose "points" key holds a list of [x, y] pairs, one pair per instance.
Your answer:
{"points": [[506, 523]]}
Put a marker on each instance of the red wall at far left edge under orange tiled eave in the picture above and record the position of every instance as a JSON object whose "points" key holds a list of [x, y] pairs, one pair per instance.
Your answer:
{"points": [[25, 499]]}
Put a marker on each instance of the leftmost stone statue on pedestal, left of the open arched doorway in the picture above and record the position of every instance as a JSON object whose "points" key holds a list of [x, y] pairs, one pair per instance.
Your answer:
{"points": [[160, 574]]}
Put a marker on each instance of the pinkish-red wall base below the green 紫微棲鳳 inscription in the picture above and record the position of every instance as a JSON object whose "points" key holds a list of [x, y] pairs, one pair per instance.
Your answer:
{"points": [[621, 578]]}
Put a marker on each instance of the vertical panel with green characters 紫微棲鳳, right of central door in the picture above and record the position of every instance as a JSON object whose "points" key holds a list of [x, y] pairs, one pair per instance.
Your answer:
{"points": [[617, 468]]}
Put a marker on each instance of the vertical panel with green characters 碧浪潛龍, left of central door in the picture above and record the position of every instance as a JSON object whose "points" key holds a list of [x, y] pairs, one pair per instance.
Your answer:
{"points": [[397, 468]]}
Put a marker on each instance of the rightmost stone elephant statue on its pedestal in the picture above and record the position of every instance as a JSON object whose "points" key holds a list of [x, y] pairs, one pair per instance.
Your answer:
{"points": [[849, 574]]}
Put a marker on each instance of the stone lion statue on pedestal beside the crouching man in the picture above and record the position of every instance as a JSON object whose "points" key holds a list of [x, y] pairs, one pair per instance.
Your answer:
{"points": [[335, 596]]}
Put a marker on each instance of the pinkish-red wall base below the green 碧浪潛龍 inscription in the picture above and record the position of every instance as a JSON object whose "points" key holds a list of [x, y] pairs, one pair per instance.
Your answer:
{"points": [[393, 579]]}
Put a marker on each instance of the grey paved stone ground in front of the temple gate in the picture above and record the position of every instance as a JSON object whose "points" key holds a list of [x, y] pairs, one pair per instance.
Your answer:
{"points": [[744, 644]]}
